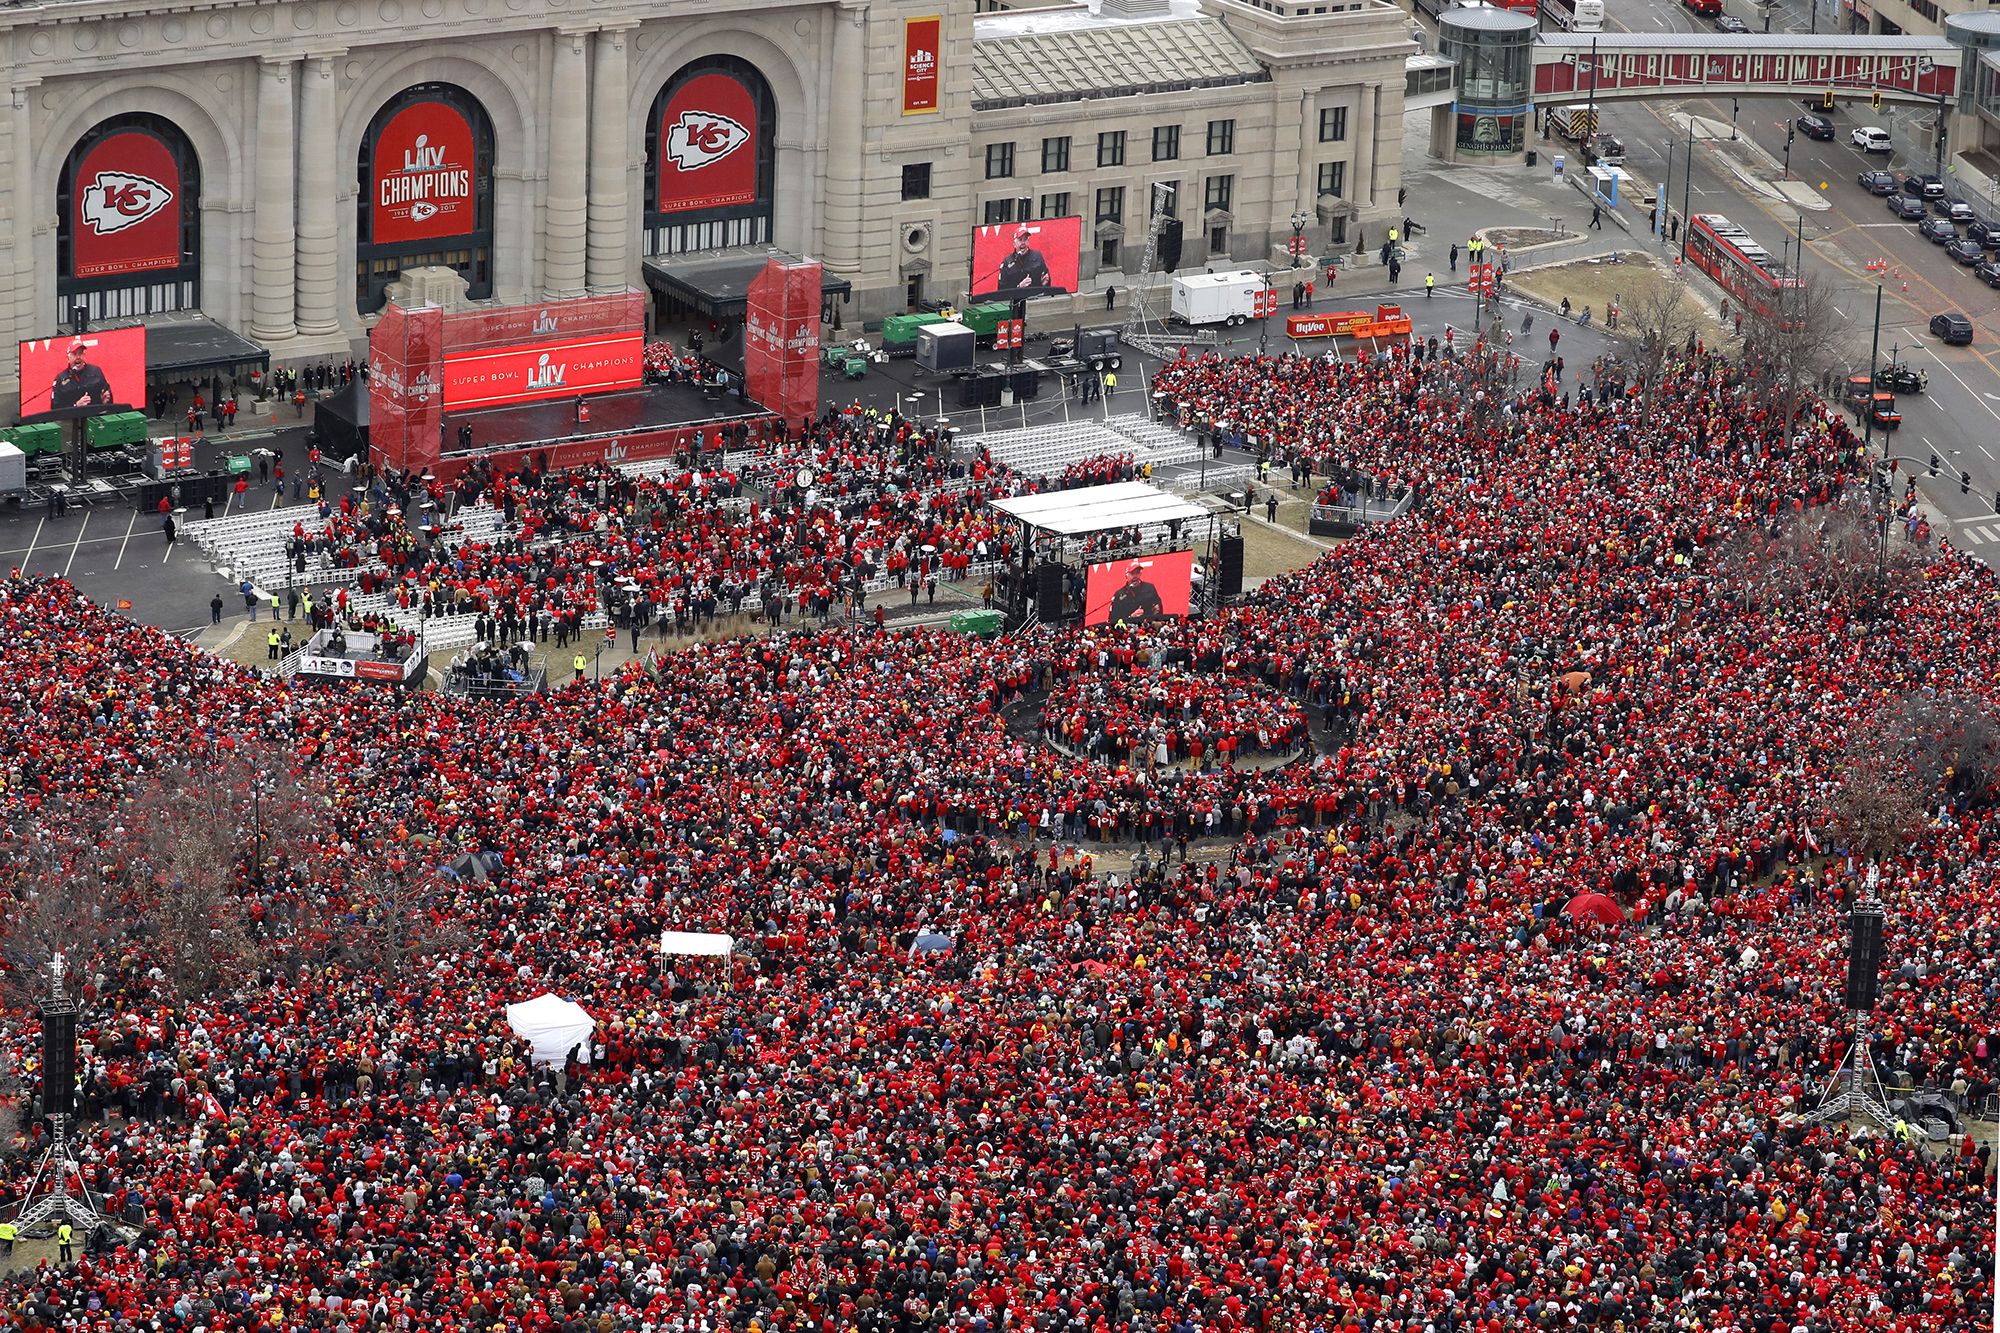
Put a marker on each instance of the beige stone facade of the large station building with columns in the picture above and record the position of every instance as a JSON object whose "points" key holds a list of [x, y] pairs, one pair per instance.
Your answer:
{"points": [[275, 103]]}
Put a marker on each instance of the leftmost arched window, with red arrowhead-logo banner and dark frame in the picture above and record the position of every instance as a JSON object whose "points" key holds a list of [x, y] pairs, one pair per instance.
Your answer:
{"points": [[129, 235]]}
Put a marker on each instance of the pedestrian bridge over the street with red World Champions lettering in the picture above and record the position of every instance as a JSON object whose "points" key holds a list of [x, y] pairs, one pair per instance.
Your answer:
{"points": [[1621, 67]]}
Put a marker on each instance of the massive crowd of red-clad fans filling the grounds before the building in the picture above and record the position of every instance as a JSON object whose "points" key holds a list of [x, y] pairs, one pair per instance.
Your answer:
{"points": [[1335, 1060]]}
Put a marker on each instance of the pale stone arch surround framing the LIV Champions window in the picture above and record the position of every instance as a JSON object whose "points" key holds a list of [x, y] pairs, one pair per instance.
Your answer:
{"points": [[505, 93]]}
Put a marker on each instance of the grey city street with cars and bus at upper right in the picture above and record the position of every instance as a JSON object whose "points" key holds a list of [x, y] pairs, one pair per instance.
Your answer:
{"points": [[1959, 417]]}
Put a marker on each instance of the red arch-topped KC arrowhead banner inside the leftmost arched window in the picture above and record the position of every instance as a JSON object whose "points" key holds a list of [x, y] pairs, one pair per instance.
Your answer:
{"points": [[125, 207]]}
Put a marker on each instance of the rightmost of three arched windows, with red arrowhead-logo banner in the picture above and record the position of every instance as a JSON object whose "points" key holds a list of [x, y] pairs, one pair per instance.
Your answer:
{"points": [[711, 159]]}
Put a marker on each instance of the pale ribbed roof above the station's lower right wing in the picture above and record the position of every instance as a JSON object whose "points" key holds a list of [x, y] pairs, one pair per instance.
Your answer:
{"points": [[1079, 55]]}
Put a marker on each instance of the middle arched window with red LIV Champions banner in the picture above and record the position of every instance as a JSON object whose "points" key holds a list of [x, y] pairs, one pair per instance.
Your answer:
{"points": [[425, 191]]}
